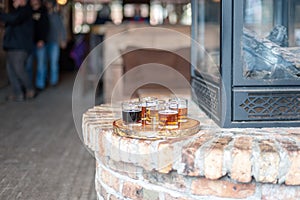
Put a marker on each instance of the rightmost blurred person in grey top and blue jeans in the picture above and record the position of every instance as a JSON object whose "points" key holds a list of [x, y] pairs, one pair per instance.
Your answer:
{"points": [[57, 37]]}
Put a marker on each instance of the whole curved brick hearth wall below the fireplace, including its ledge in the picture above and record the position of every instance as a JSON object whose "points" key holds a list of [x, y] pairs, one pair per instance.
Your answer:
{"points": [[213, 164]]}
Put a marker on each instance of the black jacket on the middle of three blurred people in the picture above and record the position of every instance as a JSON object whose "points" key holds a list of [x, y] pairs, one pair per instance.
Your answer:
{"points": [[41, 24]]}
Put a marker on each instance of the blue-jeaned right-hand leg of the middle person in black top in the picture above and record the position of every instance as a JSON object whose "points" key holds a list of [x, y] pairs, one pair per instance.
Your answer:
{"points": [[41, 68]]}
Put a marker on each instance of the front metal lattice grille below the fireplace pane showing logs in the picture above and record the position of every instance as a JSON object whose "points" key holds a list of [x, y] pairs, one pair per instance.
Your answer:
{"points": [[272, 106]]}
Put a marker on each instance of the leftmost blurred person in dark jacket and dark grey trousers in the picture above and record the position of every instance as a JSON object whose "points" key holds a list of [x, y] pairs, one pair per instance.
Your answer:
{"points": [[18, 42]]}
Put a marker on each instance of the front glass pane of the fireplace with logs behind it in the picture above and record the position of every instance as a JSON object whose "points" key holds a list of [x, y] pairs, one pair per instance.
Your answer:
{"points": [[269, 39]]}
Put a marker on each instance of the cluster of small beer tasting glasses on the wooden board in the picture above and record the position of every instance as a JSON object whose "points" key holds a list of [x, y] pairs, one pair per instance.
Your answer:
{"points": [[153, 111]]}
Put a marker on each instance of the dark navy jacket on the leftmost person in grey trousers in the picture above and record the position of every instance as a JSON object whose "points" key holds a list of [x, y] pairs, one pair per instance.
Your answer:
{"points": [[18, 29]]}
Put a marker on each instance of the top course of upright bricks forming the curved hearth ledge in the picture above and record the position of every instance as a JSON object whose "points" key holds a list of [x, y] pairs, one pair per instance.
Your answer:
{"points": [[268, 155]]}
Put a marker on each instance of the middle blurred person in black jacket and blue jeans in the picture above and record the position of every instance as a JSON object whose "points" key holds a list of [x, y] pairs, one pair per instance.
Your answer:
{"points": [[41, 28]]}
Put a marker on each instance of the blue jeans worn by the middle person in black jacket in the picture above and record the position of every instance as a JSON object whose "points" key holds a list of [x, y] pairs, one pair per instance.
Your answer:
{"points": [[40, 55]]}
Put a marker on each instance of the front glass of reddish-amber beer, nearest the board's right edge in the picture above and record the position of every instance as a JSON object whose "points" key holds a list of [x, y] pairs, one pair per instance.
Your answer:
{"points": [[168, 119]]}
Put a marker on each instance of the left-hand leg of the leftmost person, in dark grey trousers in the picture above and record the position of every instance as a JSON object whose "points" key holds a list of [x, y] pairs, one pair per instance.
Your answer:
{"points": [[12, 62]]}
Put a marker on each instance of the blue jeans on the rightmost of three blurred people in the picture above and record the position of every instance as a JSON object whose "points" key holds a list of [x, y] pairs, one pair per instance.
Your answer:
{"points": [[53, 58]]}
